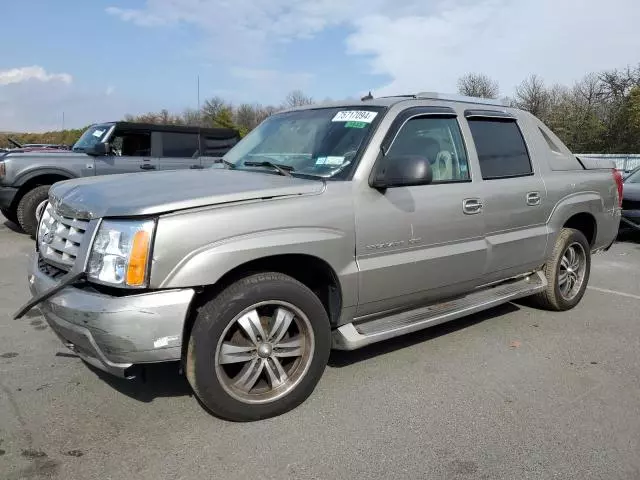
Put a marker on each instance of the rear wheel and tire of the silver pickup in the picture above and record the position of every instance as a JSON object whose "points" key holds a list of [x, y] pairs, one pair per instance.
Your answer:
{"points": [[567, 272]]}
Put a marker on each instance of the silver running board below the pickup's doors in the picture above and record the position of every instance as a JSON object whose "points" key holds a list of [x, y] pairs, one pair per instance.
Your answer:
{"points": [[353, 336]]}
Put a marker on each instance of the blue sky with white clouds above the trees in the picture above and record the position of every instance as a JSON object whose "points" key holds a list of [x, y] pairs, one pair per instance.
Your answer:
{"points": [[98, 60]]}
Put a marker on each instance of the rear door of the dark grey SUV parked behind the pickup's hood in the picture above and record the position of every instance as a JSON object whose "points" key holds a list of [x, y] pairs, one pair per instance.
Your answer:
{"points": [[177, 150]]}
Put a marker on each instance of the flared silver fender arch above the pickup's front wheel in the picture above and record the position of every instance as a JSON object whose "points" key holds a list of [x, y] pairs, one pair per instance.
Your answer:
{"points": [[208, 264]]}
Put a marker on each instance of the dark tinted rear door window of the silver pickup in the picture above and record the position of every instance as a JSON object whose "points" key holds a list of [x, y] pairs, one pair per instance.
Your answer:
{"points": [[501, 148]]}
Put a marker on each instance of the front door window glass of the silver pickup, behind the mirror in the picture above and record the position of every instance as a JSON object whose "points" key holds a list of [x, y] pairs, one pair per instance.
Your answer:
{"points": [[438, 140]]}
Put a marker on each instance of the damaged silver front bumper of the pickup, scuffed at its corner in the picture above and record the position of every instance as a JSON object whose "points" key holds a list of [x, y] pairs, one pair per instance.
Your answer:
{"points": [[114, 333]]}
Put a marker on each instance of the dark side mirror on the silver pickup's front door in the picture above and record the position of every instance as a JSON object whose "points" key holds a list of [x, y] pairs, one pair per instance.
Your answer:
{"points": [[402, 171]]}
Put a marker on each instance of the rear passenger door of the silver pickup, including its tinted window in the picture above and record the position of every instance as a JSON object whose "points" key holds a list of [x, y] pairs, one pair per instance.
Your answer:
{"points": [[513, 193]]}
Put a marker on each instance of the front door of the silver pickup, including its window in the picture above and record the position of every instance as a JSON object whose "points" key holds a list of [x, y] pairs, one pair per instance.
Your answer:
{"points": [[415, 244]]}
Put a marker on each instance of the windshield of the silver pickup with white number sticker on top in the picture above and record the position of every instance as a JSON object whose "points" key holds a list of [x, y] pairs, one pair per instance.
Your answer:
{"points": [[320, 142]]}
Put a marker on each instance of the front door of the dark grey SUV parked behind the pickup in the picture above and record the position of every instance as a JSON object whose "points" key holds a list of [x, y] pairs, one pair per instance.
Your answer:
{"points": [[130, 153]]}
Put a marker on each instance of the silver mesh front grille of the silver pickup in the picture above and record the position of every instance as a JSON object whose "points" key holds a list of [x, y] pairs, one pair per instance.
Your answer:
{"points": [[60, 237]]}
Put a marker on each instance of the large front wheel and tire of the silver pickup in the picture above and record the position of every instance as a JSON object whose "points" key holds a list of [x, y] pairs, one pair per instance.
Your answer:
{"points": [[258, 348]]}
